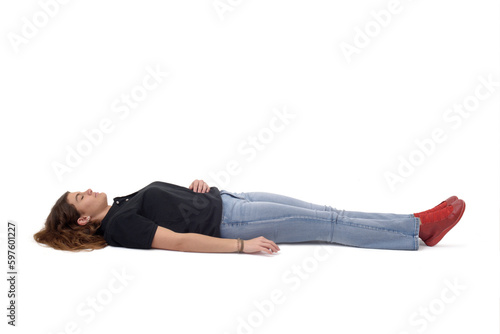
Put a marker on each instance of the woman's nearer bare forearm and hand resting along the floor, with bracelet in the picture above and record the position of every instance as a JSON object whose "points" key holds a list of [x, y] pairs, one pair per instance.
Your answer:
{"points": [[194, 242]]}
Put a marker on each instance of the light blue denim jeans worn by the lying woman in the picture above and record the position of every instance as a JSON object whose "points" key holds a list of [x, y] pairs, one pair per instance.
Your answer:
{"points": [[284, 219]]}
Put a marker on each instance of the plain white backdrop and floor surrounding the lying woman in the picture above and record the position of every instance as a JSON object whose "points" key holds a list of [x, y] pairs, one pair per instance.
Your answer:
{"points": [[352, 120]]}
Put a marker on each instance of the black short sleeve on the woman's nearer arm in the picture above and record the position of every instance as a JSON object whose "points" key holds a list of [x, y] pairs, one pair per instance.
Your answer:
{"points": [[131, 231]]}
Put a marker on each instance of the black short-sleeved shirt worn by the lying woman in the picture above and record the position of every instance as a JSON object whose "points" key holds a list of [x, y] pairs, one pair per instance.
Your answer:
{"points": [[132, 220]]}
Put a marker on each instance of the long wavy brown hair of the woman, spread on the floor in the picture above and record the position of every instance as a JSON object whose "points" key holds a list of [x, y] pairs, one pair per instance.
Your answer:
{"points": [[61, 230]]}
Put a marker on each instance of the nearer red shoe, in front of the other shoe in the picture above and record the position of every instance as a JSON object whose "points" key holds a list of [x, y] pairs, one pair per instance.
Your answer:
{"points": [[435, 225]]}
